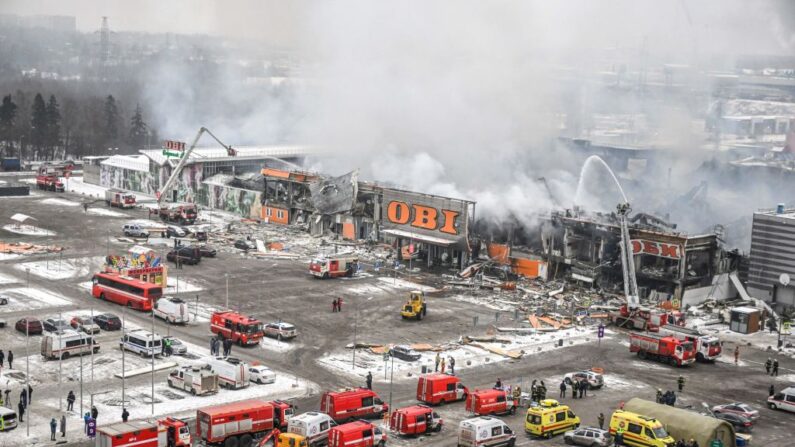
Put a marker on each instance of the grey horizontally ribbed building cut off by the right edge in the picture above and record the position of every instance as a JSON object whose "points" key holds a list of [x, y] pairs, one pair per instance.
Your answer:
{"points": [[771, 271]]}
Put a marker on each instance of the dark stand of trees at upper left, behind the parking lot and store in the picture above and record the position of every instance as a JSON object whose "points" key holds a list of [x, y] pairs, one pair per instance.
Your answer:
{"points": [[42, 129]]}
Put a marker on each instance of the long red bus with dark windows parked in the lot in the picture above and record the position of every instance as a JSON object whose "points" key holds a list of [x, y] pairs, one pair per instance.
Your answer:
{"points": [[124, 290]]}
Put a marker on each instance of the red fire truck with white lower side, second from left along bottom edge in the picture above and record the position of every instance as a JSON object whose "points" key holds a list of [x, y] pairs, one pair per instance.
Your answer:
{"points": [[240, 423]]}
